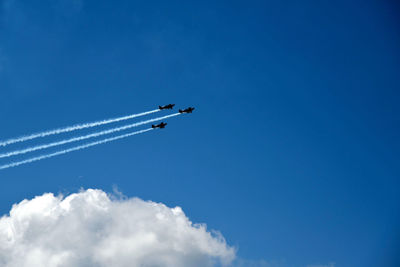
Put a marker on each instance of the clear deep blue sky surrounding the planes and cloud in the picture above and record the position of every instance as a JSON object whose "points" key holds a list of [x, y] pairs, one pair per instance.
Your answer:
{"points": [[292, 151]]}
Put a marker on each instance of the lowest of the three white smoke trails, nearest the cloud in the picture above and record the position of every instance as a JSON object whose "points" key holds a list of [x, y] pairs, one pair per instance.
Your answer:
{"points": [[17, 163]]}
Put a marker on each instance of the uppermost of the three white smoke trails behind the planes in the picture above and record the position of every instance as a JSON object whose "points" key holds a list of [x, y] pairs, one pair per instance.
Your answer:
{"points": [[73, 128]]}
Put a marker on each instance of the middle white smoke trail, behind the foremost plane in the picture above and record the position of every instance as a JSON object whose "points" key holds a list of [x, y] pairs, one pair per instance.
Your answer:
{"points": [[80, 138]]}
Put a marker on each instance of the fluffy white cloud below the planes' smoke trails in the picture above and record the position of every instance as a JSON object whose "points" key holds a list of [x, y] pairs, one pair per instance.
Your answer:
{"points": [[91, 229]]}
